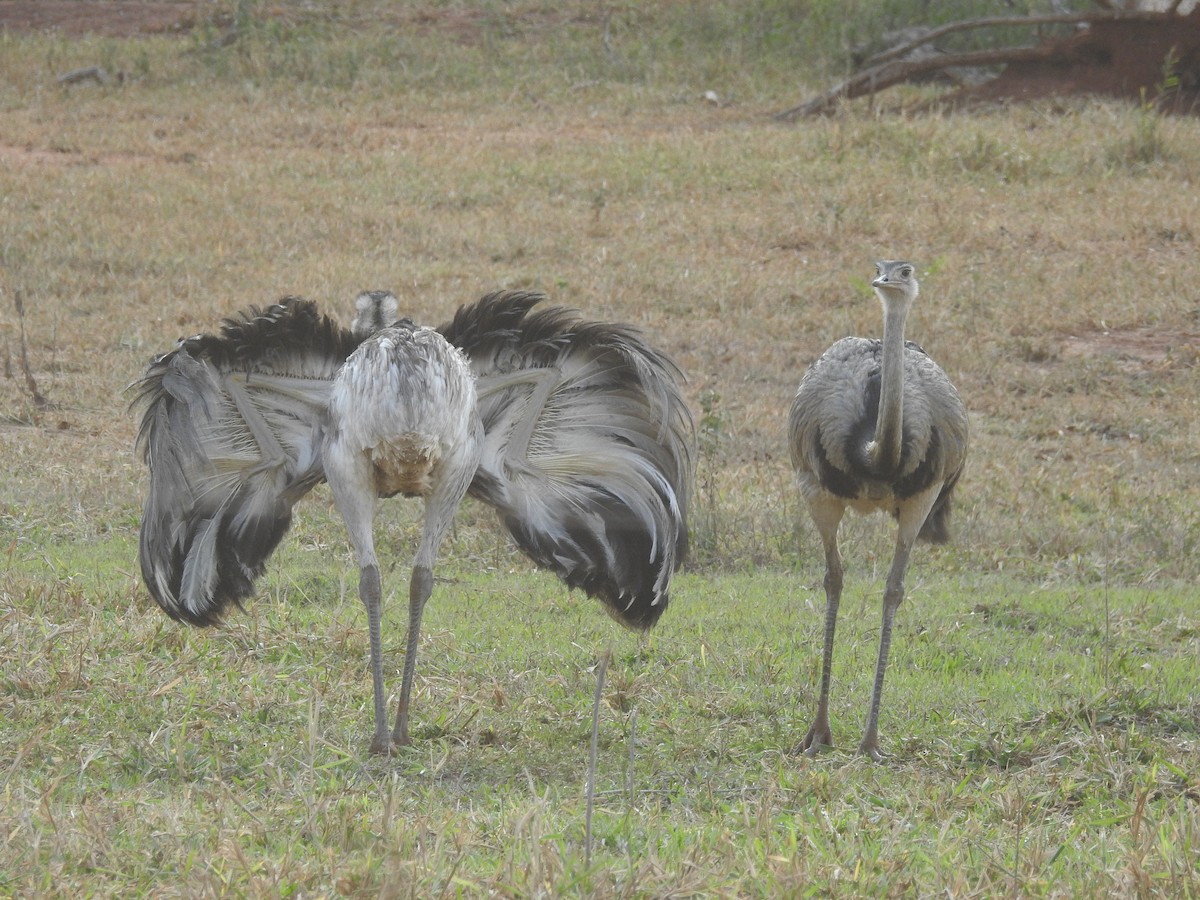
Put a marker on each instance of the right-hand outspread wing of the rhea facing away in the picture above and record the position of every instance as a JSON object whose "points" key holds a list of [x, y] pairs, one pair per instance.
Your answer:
{"points": [[589, 448]]}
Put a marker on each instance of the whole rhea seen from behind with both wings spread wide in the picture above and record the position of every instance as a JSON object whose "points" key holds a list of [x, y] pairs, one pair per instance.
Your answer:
{"points": [[575, 433]]}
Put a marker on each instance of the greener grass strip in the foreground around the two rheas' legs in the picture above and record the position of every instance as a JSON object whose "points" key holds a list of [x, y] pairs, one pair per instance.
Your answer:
{"points": [[1042, 742]]}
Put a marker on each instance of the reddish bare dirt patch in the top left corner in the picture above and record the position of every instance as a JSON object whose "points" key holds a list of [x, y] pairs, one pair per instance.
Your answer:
{"points": [[112, 19]]}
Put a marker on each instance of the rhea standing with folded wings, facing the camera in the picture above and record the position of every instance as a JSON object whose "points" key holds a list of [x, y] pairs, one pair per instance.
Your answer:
{"points": [[877, 427]]}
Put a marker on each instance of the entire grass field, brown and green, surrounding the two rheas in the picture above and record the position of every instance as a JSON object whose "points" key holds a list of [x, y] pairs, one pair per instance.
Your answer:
{"points": [[1042, 713]]}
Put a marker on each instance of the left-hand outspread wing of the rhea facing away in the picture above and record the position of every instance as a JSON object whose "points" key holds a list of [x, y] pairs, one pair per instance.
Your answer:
{"points": [[231, 433]]}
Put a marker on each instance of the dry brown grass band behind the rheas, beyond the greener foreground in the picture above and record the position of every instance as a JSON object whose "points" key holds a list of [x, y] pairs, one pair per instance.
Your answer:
{"points": [[1054, 259]]}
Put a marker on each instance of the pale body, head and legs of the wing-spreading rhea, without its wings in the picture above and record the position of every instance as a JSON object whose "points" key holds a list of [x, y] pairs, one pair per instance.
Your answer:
{"points": [[403, 421]]}
